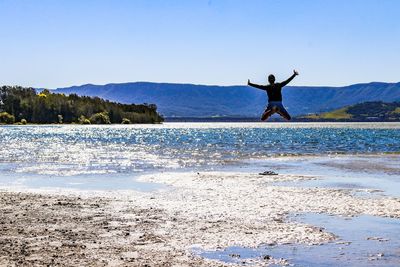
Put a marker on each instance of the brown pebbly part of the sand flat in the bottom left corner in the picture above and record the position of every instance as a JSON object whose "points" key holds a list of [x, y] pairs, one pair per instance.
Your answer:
{"points": [[54, 230]]}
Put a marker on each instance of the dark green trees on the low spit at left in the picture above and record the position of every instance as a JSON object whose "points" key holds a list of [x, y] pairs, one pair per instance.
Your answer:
{"points": [[24, 105]]}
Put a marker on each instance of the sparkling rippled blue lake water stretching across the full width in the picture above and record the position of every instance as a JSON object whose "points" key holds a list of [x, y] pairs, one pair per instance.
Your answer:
{"points": [[75, 150]]}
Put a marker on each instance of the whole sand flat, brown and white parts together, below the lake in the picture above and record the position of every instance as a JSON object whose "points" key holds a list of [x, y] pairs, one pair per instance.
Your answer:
{"points": [[210, 210]]}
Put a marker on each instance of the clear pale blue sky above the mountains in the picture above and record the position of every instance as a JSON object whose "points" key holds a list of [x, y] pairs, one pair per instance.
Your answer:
{"points": [[56, 43]]}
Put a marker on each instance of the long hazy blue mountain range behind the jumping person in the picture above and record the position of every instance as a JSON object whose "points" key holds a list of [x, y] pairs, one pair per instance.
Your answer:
{"points": [[188, 100]]}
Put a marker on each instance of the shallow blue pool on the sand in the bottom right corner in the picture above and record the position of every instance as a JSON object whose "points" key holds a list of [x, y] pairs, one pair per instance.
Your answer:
{"points": [[362, 241]]}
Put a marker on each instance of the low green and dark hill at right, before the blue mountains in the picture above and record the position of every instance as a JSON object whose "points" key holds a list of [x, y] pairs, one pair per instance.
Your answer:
{"points": [[368, 111]]}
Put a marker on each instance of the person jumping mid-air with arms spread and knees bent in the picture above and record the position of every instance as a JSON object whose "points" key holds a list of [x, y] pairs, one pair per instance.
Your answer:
{"points": [[274, 92]]}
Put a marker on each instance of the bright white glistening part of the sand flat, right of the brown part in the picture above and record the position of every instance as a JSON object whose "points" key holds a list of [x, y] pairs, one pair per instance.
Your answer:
{"points": [[224, 209]]}
